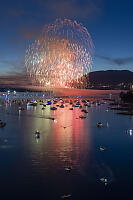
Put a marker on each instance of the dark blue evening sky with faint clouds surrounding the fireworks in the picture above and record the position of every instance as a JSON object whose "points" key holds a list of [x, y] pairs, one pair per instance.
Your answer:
{"points": [[110, 23]]}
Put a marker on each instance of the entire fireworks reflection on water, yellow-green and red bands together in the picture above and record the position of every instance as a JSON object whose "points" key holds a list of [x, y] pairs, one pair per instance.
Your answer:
{"points": [[63, 143]]}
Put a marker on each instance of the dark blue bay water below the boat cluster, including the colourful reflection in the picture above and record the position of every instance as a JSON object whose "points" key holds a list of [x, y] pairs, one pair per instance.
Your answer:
{"points": [[66, 159]]}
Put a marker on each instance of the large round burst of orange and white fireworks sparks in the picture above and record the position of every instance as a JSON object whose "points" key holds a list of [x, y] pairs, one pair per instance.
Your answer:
{"points": [[61, 55]]}
